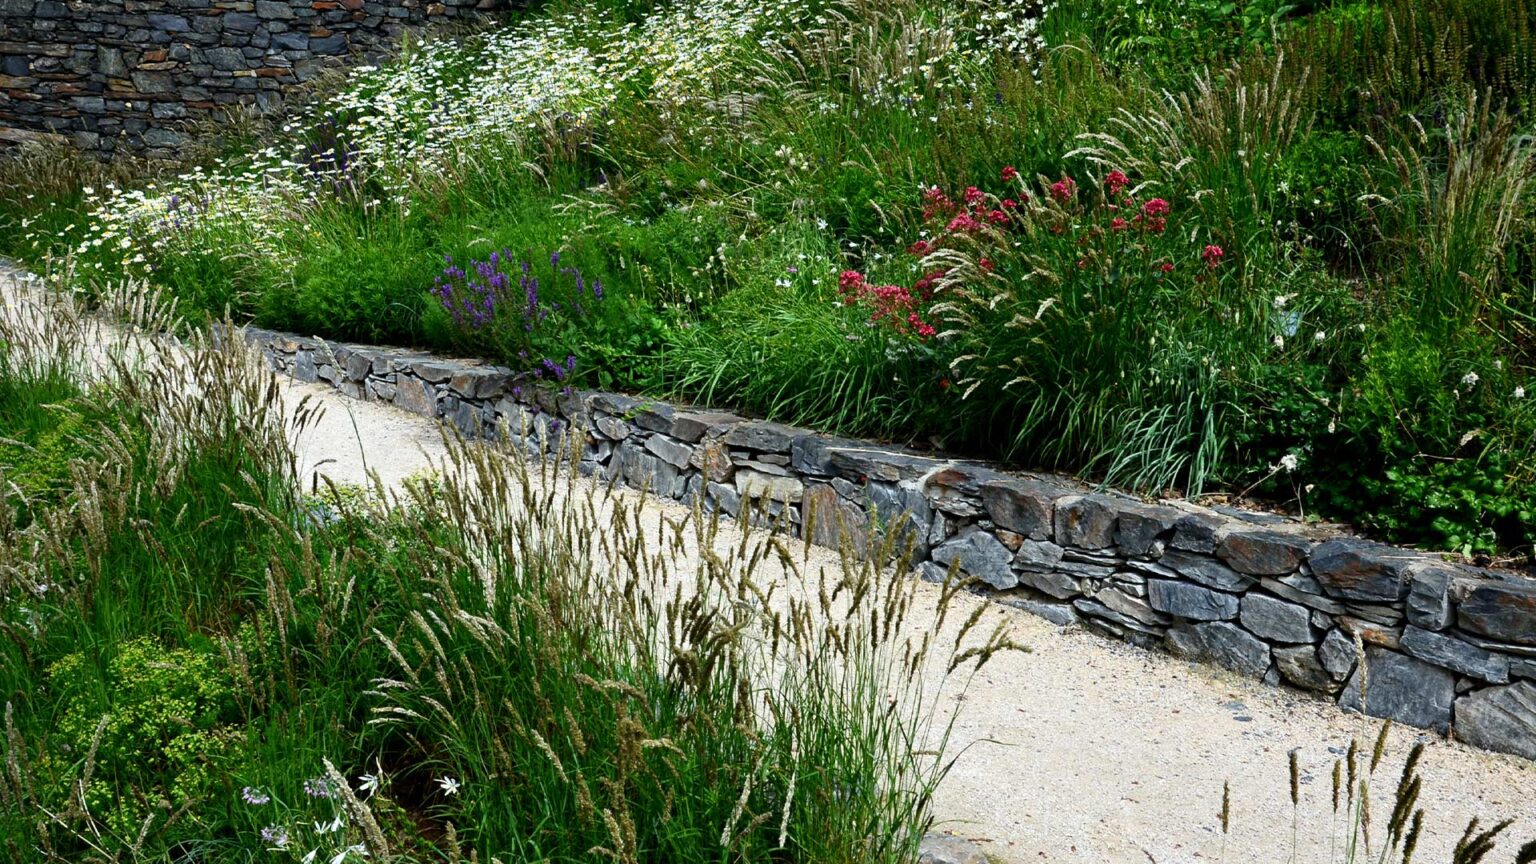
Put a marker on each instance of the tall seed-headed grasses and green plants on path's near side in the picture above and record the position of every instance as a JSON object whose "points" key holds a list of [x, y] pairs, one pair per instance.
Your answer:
{"points": [[497, 663]]}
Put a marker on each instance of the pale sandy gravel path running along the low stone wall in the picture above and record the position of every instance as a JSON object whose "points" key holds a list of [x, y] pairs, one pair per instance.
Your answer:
{"points": [[1085, 749]]}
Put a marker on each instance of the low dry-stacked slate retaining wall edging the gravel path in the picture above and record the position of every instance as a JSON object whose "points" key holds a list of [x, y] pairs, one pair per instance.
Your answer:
{"points": [[1445, 646]]}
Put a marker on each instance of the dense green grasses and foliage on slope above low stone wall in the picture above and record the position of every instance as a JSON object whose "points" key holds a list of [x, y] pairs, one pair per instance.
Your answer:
{"points": [[1360, 351]]}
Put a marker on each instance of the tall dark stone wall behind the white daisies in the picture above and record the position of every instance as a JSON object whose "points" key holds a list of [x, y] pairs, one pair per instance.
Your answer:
{"points": [[125, 75]]}
